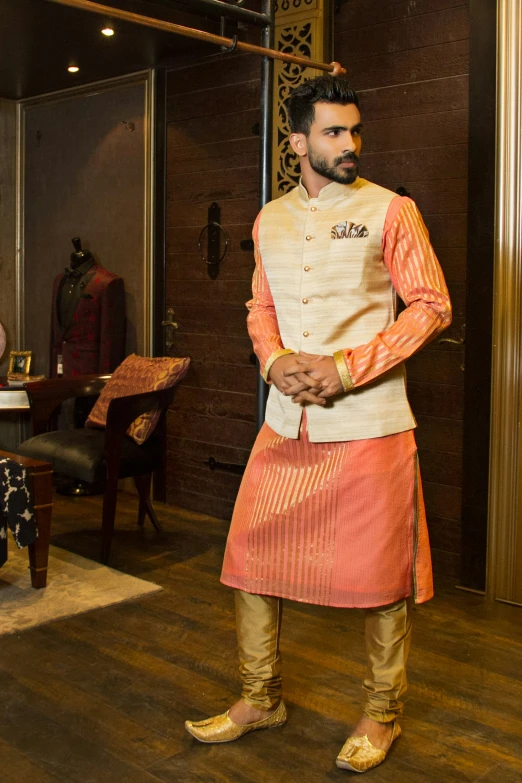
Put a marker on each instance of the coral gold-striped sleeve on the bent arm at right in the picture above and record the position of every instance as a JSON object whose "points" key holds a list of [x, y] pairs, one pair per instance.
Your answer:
{"points": [[419, 281]]}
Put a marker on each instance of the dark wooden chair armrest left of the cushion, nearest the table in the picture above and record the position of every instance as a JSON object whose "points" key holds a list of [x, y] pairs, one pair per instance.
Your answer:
{"points": [[45, 397]]}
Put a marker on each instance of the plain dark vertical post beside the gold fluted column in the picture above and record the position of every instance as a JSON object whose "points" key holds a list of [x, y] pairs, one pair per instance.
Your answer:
{"points": [[479, 292]]}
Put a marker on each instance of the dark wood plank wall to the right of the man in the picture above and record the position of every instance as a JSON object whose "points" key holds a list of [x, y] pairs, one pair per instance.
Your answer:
{"points": [[409, 61]]}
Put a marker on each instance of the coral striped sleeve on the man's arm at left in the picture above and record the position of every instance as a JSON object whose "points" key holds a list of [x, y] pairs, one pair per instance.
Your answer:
{"points": [[262, 324]]}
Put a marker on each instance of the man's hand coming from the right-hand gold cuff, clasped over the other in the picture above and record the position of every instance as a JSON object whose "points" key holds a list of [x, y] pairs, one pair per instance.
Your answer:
{"points": [[321, 369]]}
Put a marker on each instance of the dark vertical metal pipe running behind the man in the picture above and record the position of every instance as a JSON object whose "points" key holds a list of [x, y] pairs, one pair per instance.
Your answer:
{"points": [[265, 159]]}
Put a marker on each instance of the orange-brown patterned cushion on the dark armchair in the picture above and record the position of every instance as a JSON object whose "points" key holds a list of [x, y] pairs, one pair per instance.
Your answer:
{"points": [[135, 375]]}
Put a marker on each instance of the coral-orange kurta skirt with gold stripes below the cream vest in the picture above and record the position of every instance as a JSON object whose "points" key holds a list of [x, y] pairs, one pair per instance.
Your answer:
{"points": [[338, 524]]}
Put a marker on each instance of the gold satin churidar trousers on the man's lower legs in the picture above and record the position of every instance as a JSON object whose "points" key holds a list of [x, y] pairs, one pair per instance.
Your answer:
{"points": [[388, 633]]}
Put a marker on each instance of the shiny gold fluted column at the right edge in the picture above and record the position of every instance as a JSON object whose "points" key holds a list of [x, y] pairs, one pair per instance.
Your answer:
{"points": [[505, 523]]}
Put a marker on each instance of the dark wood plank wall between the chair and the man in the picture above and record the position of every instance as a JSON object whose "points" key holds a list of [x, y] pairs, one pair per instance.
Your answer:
{"points": [[212, 155]]}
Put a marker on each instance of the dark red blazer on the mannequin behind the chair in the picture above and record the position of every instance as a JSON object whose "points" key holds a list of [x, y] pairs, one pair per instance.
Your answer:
{"points": [[93, 340]]}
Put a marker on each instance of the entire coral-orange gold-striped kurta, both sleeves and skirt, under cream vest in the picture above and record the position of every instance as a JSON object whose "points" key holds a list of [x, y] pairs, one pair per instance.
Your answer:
{"points": [[343, 523]]}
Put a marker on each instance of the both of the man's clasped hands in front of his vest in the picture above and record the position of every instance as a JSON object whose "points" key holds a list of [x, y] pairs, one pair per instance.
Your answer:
{"points": [[306, 377]]}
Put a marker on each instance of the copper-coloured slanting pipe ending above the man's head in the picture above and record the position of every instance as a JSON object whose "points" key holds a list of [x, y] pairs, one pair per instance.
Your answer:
{"points": [[189, 32]]}
